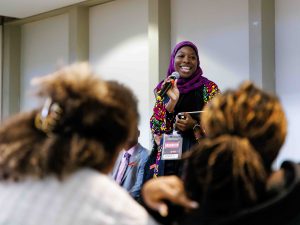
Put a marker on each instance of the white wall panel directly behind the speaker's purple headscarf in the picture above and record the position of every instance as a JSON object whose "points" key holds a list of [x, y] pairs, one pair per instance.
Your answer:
{"points": [[220, 30]]}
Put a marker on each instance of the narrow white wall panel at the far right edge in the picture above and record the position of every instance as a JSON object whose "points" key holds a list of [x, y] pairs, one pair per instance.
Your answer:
{"points": [[287, 36]]}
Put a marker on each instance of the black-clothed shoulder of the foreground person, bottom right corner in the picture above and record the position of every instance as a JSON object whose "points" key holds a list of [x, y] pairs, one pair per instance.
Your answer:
{"points": [[271, 210]]}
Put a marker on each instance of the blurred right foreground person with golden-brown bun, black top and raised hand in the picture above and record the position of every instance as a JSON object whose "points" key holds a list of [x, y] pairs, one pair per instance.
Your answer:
{"points": [[229, 173]]}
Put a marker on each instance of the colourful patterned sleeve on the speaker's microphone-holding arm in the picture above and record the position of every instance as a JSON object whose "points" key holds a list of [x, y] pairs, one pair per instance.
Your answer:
{"points": [[161, 121]]}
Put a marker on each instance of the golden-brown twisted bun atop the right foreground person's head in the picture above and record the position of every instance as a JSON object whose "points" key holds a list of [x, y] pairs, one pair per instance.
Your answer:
{"points": [[250, 113]]}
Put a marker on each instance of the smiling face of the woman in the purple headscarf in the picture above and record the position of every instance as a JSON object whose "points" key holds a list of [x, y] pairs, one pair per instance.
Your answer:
{"points": [[185, 61]]}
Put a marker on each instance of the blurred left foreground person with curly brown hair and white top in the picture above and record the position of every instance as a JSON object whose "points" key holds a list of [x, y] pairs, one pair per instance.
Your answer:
{"points": [[54, 161]]}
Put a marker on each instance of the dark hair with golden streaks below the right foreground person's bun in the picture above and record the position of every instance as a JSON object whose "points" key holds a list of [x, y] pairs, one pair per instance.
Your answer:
{"points": [[224, 171]]}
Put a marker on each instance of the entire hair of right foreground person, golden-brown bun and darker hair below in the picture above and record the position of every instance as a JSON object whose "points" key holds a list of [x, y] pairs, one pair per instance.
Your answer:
{"points": [[228, 170]]}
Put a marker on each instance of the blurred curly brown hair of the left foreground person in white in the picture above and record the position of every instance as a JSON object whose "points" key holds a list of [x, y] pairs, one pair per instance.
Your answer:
{"points": [[95, 120]]}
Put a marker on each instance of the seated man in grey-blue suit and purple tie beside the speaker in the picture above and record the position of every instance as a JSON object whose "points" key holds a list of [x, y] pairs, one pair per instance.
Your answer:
{"points": [[129, 167]]}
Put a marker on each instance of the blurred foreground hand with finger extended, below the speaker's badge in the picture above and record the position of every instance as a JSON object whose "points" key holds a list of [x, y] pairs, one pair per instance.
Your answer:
{"points": [[169, 188]]}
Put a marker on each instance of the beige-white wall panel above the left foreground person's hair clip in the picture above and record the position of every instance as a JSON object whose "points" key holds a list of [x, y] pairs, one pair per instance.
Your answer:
{"points": [[44, 49]]}
